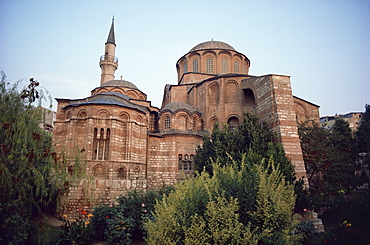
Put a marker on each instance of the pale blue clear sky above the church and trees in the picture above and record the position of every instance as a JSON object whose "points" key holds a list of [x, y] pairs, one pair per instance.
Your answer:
{"points": [[323, 45]]}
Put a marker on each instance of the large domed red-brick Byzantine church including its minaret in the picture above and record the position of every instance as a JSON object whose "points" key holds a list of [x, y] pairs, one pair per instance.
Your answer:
{"points": [[130, 144]]}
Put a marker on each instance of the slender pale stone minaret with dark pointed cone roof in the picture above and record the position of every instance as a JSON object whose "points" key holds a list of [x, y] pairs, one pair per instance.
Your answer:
{"points": [[108, 62]]}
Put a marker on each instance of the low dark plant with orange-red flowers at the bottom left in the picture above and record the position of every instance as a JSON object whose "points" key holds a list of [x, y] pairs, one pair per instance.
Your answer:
{"points": [[76, 231]]}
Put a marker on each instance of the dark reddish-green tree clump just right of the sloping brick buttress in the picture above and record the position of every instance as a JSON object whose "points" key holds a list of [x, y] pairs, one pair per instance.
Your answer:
{"points": [[330, 160]]}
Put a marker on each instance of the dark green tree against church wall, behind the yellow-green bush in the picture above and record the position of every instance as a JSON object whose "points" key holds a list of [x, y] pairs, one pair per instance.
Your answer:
{"points": [[253, 140]]}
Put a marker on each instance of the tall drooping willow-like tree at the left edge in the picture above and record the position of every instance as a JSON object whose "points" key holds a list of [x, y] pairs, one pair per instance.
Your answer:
{"points": [[32, 175]]}
